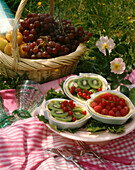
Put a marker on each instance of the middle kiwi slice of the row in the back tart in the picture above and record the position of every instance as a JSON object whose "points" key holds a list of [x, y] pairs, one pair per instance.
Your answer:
{"points": [[83, 83]]}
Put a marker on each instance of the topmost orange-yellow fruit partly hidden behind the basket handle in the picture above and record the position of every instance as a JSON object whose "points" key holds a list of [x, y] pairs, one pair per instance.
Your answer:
{"points": [[19, 37]]}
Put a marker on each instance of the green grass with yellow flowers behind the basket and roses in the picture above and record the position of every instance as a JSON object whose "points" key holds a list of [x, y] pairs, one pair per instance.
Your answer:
{"points": [[101, 17]]}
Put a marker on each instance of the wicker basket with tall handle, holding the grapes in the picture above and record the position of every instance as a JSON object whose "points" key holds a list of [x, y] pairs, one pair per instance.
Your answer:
{"points": [[40, 70]]}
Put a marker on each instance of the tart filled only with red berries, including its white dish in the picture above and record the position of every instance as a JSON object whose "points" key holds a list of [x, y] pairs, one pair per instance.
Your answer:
{"points": [[111, 107]]}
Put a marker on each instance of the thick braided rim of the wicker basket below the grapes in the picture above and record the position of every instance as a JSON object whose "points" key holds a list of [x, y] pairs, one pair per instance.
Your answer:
{"points": [[43, 64]]}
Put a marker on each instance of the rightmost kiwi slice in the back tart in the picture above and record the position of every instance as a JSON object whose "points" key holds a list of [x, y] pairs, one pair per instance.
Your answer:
{"points": [[95, 83]]}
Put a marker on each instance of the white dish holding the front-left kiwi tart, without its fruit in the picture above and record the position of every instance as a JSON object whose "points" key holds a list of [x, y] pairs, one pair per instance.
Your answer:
{"points": [[65, 125]]}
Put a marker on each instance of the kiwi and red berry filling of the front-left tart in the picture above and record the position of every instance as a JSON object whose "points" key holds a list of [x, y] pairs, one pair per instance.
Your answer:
{"points": [[66, 111]]}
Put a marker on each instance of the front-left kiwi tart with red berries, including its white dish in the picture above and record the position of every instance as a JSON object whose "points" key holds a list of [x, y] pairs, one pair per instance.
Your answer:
{"points": [[65, 113]]}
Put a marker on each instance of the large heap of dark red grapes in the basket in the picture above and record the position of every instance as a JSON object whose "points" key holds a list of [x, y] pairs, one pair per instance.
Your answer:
{"points": [[46, 37]]}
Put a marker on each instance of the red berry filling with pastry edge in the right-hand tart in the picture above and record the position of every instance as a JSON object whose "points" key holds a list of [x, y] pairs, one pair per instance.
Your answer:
{"points": [[111, 104]]}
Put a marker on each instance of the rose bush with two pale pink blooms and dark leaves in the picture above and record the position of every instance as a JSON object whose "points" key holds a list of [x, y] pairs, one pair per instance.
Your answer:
{"points": [[114, 60]]}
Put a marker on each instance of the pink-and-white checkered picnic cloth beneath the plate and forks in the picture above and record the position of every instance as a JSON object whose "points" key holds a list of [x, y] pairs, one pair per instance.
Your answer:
{"points": [[23, 144]]}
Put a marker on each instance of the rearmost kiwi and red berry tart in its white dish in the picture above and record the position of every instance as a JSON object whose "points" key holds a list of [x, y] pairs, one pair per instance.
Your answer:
{"points": [[80, 88]]}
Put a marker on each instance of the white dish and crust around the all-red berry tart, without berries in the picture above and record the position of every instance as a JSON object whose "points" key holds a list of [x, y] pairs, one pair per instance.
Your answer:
{"points": [[110, 119]]}
